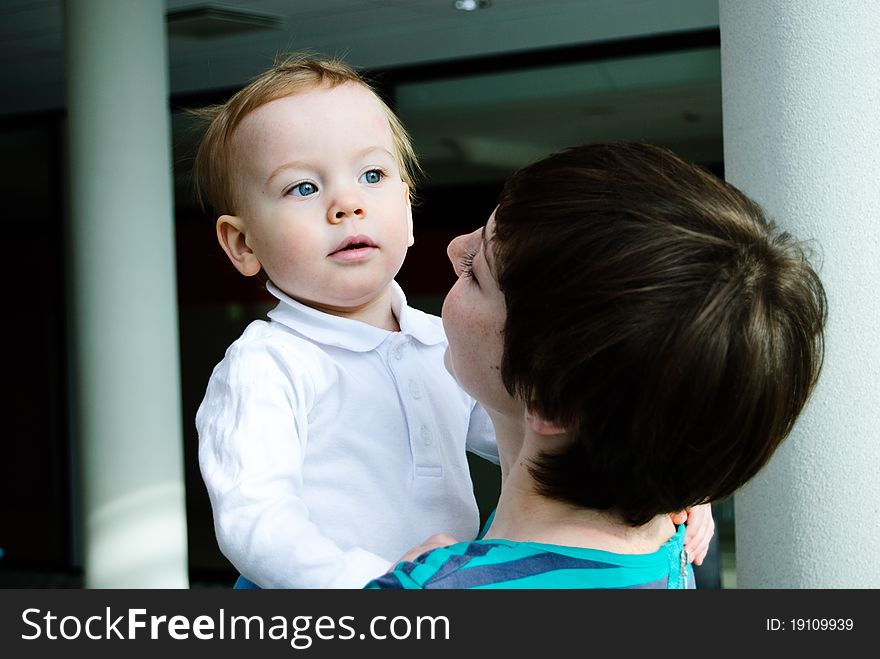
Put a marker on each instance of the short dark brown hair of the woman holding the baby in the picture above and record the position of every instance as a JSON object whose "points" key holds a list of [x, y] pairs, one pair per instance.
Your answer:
{"points": [[654, 312]]}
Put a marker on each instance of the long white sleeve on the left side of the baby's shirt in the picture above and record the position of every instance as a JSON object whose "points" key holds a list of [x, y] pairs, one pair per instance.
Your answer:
{"points": [[253, 431]]}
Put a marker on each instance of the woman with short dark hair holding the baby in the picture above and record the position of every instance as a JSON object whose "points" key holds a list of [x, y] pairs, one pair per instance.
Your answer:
{"points": [[643, 340]]}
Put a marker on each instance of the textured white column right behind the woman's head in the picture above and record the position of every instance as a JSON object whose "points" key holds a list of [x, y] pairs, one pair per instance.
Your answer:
{"points": [[801, 100]]}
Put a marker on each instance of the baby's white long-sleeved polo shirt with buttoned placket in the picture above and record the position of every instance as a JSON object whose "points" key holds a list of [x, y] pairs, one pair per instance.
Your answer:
{"points": [[330, 447]]}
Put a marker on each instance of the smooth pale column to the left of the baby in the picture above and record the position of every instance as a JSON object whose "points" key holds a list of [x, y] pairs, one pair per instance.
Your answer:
{"points": [[124, 295]]}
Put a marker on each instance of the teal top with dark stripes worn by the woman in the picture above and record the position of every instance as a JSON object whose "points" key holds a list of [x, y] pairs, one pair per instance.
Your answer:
{"points": [[507, 564]]}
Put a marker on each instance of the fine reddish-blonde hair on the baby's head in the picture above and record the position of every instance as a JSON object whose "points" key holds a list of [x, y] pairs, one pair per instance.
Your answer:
{"points": [[294, 73]]}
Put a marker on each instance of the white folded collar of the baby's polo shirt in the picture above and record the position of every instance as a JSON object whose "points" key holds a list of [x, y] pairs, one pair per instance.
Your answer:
{"points": [[351, 334]]}
